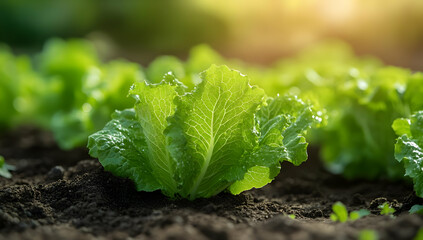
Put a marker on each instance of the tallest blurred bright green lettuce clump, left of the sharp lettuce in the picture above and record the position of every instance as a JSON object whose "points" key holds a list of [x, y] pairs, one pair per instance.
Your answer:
{"points": [[63, 65]]}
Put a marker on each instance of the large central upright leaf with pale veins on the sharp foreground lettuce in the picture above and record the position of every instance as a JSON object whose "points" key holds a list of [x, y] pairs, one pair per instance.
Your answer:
{"points": [[216, 121]]}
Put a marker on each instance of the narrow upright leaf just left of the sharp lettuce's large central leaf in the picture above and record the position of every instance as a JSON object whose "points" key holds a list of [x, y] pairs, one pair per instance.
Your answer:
{"points": [[154, 105]]}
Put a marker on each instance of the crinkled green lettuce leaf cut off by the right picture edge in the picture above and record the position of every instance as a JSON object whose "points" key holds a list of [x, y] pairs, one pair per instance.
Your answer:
{"points": [[409, 148]]}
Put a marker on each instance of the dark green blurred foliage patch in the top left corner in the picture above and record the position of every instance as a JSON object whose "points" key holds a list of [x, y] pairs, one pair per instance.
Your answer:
{"points": [[26, 22]]}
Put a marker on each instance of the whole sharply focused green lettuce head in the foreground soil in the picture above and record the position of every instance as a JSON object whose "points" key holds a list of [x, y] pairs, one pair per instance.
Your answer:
{"points": [[223, 134]]}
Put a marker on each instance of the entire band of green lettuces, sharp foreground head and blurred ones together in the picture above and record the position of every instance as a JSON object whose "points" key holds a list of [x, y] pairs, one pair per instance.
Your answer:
{"points": [[68, 90]]}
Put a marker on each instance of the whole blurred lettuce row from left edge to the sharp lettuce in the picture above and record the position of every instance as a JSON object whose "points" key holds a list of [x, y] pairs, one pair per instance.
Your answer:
{"points": [[66, 90]]}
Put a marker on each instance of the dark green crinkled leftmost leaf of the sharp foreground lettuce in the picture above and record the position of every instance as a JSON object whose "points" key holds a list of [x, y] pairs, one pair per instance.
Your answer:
{"points": [[122, 149]]}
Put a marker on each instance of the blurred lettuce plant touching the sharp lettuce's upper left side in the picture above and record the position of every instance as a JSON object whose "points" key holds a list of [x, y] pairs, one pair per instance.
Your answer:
{"points": [[105, 89]]}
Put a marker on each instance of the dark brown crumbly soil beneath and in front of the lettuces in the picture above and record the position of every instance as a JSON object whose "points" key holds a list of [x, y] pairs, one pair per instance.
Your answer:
{"points": [[66, 195]]}
